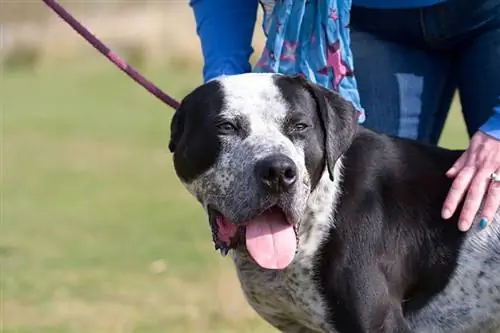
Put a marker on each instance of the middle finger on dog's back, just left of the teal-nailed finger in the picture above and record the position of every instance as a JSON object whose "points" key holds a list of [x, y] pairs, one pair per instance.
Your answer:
{"points": [[473, 200]]}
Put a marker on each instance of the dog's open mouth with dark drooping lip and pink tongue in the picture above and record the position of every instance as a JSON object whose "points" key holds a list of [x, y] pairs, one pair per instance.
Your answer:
{"points": [[270, 238]]}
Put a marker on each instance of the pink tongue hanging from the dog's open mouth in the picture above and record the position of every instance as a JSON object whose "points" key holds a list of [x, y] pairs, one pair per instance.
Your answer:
{"points": [[271, 241]]}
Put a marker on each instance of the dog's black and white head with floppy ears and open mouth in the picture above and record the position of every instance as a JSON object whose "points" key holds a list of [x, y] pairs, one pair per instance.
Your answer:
{"points": [[252, 148]]}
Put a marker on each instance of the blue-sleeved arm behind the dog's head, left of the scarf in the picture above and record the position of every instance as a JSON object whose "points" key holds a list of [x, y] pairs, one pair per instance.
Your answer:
{"points": [[225, 29]]}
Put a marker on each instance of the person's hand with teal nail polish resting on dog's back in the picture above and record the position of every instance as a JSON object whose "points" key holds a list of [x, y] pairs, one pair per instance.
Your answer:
{"points": [[472, 174]]}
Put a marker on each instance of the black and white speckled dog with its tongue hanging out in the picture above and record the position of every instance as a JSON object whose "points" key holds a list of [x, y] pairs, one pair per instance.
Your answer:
{"points": [[332, 227]]}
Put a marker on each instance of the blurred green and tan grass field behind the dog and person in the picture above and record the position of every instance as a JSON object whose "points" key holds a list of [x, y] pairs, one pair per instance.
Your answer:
{"points": [[96, 233]]}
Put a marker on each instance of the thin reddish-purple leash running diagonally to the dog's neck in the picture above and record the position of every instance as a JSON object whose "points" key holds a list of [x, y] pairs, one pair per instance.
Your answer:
{"points": [[112, 56]]}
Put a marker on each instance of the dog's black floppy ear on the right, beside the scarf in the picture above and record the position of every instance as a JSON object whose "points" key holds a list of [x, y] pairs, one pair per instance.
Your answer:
{"points": [[339, 119]]}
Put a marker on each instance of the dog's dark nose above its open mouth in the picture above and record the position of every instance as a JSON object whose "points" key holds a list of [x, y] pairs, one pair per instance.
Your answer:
{"points": [[277, 173]]}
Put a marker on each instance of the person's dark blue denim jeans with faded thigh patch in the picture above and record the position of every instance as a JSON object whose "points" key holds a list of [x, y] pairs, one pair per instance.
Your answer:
{"points": [[410, 62]]}
